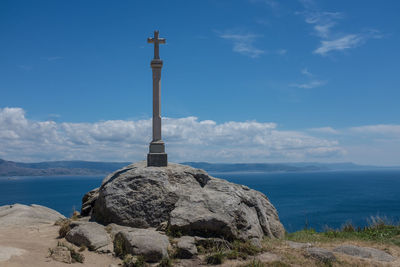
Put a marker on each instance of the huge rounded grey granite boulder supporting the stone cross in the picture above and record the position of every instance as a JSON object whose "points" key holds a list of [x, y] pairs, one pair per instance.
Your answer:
{"points": [[191, 201]]}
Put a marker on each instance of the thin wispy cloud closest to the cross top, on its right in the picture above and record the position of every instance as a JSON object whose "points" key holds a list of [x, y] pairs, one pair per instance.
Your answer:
{"points": [[243, 43]]}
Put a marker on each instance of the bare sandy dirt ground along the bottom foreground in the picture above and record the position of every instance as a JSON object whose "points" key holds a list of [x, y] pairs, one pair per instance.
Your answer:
{"points": [[29, 247]]}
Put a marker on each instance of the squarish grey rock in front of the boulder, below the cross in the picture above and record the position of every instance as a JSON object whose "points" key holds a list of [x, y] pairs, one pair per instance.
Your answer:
{"points": [[152, 245]]}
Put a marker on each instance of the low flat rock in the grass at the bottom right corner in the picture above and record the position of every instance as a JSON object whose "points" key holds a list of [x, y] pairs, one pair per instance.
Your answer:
{"points": [[365, 252]]}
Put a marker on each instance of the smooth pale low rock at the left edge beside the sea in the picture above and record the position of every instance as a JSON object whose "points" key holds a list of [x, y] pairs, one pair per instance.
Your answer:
{"points": [[23, 215]]}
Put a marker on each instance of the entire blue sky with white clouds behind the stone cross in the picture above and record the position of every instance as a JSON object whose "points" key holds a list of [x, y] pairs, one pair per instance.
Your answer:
{"points": [[243, 81]]}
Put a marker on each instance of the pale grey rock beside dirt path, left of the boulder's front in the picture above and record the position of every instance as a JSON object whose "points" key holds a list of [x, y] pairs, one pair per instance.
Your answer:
{"points": [[89, 234]]}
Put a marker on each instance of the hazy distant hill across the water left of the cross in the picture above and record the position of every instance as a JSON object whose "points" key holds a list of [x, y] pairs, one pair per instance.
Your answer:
{"points": [[53, 168]]}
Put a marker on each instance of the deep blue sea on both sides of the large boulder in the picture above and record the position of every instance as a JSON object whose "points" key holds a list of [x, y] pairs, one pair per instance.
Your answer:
{"points": [[303, 199]]}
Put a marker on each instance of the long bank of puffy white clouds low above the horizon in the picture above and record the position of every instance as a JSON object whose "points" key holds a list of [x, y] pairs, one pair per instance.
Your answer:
{"points": [[187, 139]]}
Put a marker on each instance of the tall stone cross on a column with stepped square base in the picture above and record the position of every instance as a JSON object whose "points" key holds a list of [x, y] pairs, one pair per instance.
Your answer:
{"points": [[157, 156]]}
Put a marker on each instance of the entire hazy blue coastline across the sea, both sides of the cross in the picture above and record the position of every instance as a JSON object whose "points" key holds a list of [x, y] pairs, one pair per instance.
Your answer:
{"points": [[89, 168]]}
